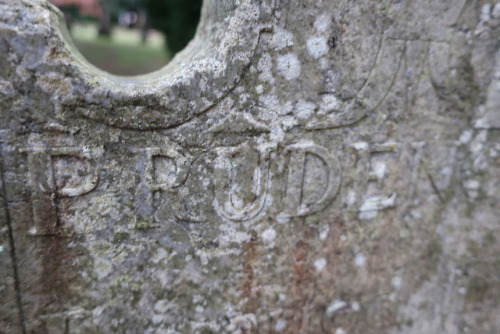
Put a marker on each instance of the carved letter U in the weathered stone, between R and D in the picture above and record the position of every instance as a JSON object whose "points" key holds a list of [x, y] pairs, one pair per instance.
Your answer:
{"points": [[224, 202]]}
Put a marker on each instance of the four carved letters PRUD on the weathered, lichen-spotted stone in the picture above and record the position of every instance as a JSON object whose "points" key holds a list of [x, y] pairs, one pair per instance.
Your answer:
{"points": [[300, 180]]}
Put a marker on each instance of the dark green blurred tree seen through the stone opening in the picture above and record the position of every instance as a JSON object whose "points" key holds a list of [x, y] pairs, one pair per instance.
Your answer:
{"points": [[177, 19]]}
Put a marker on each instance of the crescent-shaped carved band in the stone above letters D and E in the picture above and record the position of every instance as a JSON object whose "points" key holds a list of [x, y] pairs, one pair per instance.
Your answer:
{"points": [[373, 93]]}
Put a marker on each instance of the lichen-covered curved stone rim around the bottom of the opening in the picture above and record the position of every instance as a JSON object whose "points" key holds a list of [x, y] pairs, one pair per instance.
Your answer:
{"points": [[195, 80]]}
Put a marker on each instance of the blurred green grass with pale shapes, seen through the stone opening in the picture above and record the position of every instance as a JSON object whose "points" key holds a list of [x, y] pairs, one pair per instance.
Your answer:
{"points": [[122, 53]]}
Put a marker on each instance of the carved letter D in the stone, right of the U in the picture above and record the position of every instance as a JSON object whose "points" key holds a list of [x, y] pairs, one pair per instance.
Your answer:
{"points": [[294, 205]]}
